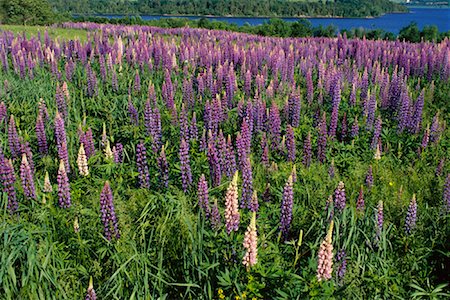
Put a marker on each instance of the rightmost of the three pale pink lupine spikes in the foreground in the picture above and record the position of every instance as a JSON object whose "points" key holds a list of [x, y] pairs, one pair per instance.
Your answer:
{"points": [[325, 256]]}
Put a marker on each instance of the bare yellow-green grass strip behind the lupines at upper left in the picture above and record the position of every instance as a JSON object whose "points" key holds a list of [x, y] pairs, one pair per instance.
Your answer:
{"points": [[53, 32]]}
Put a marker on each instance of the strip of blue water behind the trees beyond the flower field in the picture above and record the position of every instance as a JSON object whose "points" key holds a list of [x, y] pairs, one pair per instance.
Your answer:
{"points": [[389, 22]]}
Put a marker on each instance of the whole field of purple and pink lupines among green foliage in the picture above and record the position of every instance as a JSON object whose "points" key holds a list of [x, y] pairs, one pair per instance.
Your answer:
{"points": [[150, 163]]}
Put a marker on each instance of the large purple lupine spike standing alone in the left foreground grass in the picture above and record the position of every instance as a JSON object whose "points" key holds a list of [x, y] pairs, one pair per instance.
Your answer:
{"points": [[108, 215]]}
